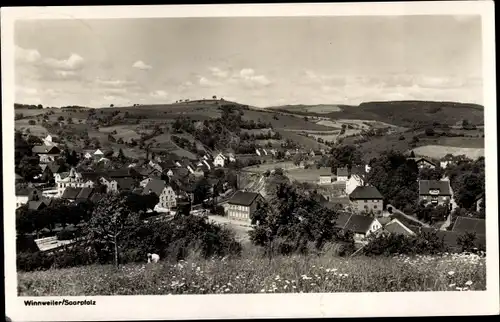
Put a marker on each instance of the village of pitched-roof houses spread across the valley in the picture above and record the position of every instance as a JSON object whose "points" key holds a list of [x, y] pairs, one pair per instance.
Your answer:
{"points": [[226, 199]]}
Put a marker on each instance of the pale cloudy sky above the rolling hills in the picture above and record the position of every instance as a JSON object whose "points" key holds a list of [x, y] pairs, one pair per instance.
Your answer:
{"points": [[257, 61]]}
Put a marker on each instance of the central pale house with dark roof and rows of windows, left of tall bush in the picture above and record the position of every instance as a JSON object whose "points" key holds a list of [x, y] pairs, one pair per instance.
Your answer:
{"points": [[242, 205]]}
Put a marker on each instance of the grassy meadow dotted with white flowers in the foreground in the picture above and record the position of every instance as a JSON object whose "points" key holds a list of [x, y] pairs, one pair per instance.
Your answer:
{"points": [[252, 273]]}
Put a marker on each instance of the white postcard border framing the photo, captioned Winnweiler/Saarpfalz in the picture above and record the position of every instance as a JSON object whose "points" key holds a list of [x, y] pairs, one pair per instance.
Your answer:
{"points": [[257, 305]]}
